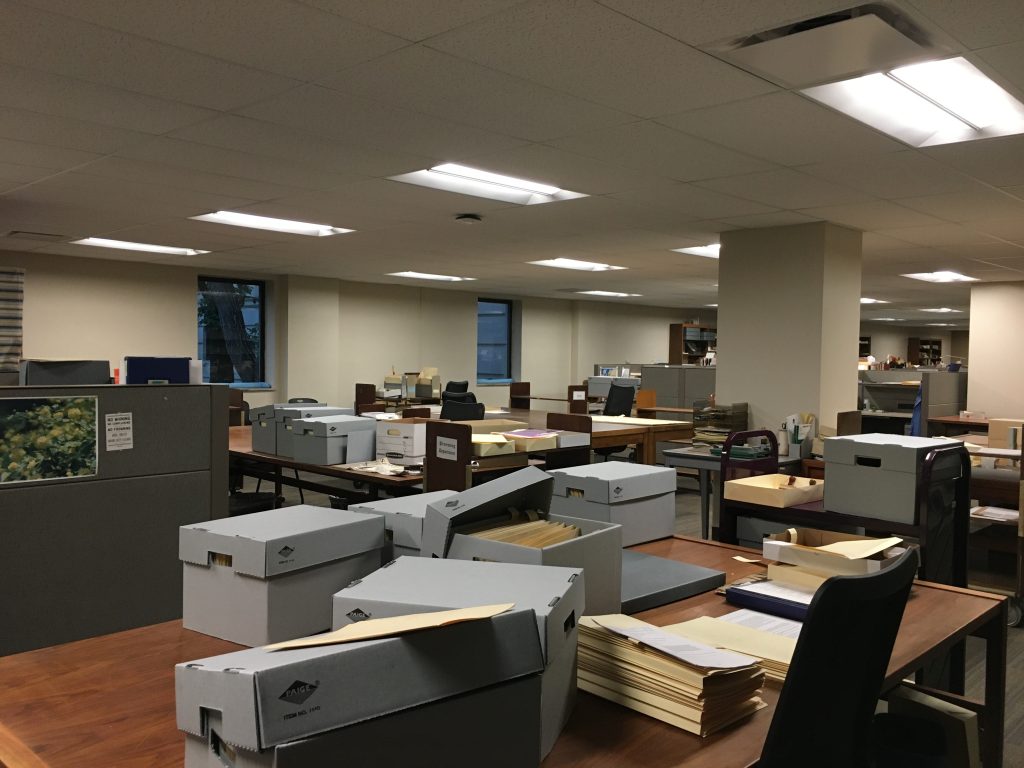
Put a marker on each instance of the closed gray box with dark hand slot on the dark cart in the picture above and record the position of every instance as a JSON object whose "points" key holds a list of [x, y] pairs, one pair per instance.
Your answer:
{"points": [[876, 476]]}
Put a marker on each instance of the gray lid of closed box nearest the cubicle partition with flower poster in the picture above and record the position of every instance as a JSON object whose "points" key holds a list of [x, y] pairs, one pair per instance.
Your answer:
{"points": [[280, 541]]}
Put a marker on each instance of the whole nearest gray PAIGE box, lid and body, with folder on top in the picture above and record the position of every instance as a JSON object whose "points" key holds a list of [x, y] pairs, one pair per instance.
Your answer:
{"points": [[257, 701]]}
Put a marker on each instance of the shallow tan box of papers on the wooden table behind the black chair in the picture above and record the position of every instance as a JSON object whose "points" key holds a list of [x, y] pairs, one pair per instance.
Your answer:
{"points": [[802, 547]]}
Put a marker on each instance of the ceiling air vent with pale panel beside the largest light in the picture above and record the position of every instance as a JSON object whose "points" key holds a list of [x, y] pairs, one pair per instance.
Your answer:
{"points": [[836, 47]]}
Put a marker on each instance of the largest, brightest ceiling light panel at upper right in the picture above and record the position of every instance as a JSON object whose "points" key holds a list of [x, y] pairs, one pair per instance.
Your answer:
{"points": [[924, 105]]}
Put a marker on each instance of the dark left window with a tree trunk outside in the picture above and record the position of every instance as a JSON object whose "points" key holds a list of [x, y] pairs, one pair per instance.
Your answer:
{"points": [[233, 331]]}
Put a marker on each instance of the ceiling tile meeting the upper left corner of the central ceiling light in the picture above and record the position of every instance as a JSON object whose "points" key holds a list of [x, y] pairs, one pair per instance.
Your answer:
{"points": [[364, 122]]}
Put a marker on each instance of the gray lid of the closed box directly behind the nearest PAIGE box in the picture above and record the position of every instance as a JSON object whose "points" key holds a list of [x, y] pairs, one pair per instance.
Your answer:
{"points": [[412, 585]]}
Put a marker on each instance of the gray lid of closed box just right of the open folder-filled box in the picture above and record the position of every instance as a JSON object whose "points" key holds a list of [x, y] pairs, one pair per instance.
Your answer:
{"points": [[615, 482]]}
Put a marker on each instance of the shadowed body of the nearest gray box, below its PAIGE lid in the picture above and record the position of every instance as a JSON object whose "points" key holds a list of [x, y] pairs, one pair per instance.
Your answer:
{"points": [[420, 738]]}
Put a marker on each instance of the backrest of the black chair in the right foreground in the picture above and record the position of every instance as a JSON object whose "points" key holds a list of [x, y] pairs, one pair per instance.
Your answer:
{"points": [[825, 712]]}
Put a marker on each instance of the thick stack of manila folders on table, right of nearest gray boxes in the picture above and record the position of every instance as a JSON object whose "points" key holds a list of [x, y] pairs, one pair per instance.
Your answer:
{"points": [[691, 686]]}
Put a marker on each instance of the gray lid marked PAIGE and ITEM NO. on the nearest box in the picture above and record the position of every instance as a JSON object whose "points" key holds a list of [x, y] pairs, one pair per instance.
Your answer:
{"points": [[268, 698]]}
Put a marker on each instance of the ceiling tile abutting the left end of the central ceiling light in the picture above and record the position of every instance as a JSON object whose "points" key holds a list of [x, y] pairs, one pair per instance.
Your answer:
{"points": [[234, 133]]}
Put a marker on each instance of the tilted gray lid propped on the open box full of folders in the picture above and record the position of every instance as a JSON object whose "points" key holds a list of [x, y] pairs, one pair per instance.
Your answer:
{"points": [[527, 489]]}
